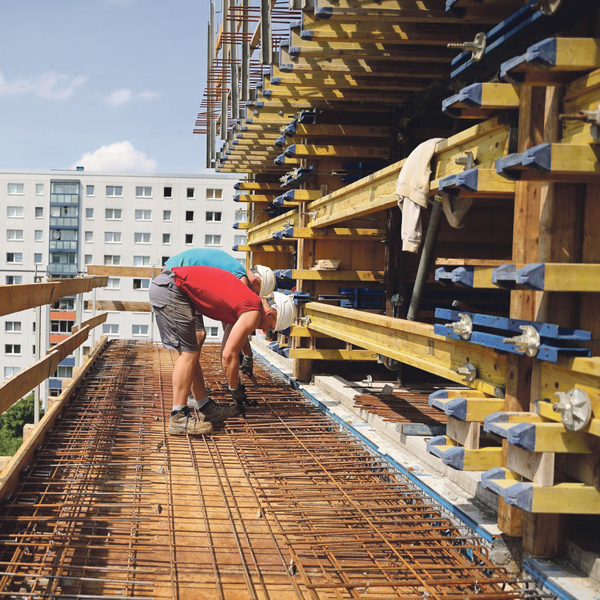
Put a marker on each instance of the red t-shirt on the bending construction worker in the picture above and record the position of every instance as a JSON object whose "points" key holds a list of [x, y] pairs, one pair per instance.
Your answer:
{"points": [[216, 293]]}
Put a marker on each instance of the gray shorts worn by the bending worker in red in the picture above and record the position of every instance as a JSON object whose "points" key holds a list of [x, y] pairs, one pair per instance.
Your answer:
{"points": [[176, 318]]}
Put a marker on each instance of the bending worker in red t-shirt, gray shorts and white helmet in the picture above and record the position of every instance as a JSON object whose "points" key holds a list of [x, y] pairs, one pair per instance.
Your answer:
{"points": [[176, 296]]}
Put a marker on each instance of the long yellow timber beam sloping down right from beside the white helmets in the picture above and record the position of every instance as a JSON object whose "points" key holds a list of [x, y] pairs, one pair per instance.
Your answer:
{"points": [[409, 342]]}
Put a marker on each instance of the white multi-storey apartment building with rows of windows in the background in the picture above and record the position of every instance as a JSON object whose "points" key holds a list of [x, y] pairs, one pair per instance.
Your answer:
{"points": [[56, 223]]}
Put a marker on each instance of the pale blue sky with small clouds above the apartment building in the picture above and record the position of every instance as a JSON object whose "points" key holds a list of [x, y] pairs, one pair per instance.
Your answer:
{"points": [[114, 85]]}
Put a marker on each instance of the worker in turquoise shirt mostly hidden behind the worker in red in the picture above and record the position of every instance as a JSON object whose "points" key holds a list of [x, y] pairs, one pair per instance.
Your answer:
{"points": [[260, 279]]}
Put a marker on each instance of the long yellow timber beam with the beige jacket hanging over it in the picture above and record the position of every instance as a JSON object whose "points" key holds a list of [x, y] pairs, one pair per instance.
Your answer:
{"points": [[487, 141]]}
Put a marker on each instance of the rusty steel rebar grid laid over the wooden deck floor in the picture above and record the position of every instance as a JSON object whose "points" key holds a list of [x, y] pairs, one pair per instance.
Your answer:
{"points": [[280, 504]]}
